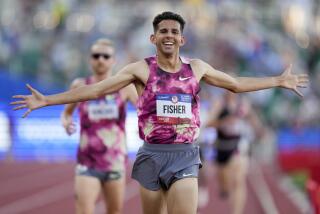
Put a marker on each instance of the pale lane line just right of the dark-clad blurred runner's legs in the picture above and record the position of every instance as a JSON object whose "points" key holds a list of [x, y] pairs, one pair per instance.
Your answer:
{"points": [[261, 189]]}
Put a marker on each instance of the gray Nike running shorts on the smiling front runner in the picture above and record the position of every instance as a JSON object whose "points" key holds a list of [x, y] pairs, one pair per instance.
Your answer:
{"points": [[160, 165]]}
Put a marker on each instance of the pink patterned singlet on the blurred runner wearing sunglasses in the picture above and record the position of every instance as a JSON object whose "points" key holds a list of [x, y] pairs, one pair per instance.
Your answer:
{"points": [[102, 135]]}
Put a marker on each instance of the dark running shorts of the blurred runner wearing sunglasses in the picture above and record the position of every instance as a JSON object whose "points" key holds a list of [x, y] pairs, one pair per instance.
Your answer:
{"points": [[103, 176]]}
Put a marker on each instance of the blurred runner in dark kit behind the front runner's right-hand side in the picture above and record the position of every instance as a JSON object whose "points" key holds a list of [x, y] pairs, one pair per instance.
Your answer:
{"points": [[237, 125]]}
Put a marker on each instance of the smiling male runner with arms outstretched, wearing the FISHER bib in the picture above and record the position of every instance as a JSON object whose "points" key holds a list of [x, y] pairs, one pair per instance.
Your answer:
{"points": [[168, 112]]}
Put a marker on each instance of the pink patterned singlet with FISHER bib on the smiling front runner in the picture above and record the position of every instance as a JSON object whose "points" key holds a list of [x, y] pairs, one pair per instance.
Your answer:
{"points": [[168, 109]]}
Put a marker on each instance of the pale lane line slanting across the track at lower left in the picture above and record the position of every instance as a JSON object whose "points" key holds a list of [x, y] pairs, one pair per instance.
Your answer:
{"points": [[39, 199]]}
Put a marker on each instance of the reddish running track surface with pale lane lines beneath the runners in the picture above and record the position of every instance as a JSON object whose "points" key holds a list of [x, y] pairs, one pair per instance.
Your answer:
{"points": [[38, 188]]}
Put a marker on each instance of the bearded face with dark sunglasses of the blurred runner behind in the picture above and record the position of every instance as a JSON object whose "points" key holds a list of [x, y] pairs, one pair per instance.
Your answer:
{"points": [[101, 58]]}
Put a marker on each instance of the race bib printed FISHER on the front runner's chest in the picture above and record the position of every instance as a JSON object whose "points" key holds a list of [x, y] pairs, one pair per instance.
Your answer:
{"points": [[173, 108]]}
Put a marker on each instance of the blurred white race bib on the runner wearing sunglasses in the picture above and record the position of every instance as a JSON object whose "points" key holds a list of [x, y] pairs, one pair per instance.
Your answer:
{"points": [[103, 110]]}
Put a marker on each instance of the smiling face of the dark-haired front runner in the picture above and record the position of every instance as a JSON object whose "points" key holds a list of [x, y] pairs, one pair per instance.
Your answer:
{"points": [[168, 37]]}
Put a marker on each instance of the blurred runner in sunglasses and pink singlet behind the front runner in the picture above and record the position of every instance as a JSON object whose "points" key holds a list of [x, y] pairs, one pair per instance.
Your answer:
{"points": [[101, 153]]}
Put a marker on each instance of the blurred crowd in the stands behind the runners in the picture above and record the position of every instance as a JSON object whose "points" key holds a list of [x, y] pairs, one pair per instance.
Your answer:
{"points": [[49, 41]]}
